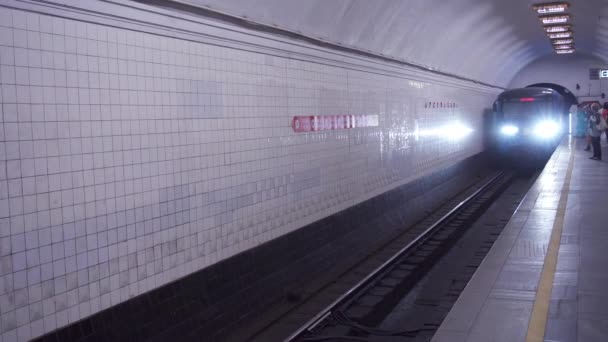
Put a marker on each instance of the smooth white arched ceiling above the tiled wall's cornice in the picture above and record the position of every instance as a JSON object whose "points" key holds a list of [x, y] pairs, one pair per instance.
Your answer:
{"points": [[489, 41]]}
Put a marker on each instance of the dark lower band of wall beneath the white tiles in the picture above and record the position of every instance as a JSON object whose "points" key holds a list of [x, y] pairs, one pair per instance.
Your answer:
{"points": [[207, 304]]}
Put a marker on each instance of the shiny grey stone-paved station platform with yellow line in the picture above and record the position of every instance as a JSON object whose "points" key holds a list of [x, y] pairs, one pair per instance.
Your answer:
{"points": [[546, 277]]}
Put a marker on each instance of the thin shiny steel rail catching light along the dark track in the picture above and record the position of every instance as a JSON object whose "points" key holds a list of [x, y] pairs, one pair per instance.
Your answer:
{"points": [[312, 323]]}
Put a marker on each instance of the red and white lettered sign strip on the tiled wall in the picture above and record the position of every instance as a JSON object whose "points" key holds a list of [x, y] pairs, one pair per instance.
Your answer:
{"points": [[332, 122]]}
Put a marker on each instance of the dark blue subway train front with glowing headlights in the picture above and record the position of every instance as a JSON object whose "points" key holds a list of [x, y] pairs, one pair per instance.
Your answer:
{"points": [[528, 121]]}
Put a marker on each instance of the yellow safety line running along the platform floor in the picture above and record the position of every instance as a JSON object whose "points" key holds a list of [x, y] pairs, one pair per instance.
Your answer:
{"points": [[540, 311]]}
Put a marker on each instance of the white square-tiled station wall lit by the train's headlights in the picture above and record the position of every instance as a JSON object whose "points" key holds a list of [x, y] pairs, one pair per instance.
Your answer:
{"points": [[128, 159]]}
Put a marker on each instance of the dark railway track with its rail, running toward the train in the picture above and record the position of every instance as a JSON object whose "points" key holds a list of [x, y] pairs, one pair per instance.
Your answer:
{"points": [[358, 311]]}
